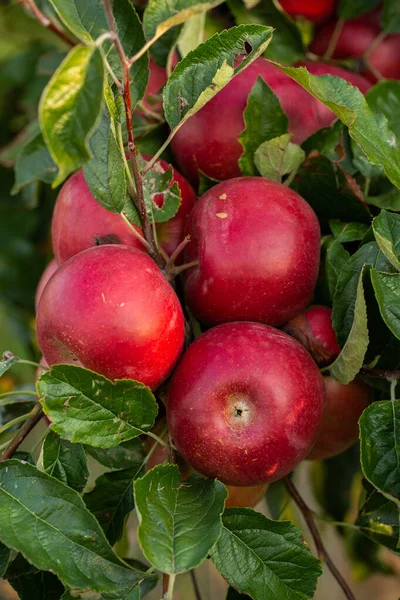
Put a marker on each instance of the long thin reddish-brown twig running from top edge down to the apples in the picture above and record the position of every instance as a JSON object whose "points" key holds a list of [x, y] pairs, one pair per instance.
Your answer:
{"points": [[126, 94]]}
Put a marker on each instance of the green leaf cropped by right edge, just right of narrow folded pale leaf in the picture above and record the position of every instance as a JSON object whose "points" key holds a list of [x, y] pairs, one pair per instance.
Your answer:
{"points": [[387, 292]]}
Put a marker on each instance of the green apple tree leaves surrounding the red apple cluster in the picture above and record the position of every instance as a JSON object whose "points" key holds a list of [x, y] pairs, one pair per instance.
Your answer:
{"points": [[62, 533]]}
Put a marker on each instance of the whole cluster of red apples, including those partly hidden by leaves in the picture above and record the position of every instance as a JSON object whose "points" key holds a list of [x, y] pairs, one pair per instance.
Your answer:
{"points": [[246, 401]]}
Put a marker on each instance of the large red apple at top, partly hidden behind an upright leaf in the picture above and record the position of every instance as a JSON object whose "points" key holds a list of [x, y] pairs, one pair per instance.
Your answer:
{"points": [[208, 141]]}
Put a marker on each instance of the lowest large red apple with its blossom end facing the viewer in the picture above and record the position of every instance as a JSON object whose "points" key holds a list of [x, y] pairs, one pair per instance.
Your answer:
{"points": [[245, 404]]}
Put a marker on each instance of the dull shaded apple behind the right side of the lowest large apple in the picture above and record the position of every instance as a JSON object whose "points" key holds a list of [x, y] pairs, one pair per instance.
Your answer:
{"points": [[343, 407]]}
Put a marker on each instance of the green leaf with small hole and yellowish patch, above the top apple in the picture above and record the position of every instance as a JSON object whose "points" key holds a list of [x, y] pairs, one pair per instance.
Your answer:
{"points": [[205, 71]]}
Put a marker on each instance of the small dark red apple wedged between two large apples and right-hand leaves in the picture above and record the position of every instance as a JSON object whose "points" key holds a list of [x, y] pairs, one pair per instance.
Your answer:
{"points": [[313, 328]]}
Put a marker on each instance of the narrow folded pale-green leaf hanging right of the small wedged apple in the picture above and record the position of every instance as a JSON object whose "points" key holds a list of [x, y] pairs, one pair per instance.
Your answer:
{"points": [[351, 358]]}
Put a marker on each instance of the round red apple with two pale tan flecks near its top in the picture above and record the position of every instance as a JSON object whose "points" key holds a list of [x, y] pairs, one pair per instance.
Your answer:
{"points": [[258, 246]]}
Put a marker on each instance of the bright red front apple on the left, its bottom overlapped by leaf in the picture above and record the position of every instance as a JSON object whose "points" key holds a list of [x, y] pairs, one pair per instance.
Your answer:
{"points": [[110, 309]]}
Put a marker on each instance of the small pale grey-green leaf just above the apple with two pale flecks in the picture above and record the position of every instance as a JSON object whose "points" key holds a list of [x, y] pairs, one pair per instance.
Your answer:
{"points": [[278, 157]]}
